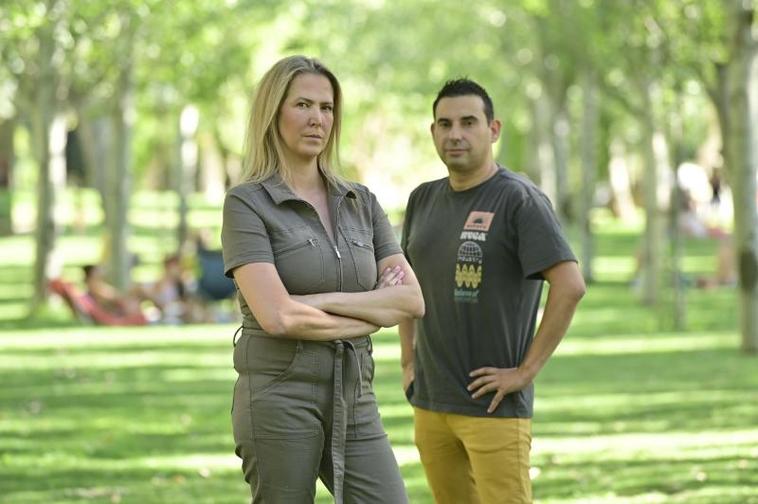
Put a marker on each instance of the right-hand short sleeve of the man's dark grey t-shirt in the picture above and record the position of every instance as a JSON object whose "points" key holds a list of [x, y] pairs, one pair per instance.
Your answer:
{"points": [[541, 242]]}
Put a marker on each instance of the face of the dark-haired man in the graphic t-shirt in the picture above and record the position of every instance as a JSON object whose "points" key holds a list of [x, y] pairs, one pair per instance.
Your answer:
{"points": [[462, 135]]}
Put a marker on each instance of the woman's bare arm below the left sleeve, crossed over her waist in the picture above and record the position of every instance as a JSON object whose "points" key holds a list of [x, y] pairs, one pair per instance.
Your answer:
{"points": [[281, 315]]}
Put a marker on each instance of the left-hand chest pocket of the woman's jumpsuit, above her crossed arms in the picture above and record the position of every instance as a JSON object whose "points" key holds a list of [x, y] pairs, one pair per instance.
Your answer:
{"points": [[299, 259]]}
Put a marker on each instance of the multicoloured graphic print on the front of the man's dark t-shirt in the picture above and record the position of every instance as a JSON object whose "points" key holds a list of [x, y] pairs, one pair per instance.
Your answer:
{"points": [[470, 259]]}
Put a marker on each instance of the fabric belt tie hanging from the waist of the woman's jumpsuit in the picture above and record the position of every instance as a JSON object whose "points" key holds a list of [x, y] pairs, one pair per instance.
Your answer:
{"points": [[339, 414]]}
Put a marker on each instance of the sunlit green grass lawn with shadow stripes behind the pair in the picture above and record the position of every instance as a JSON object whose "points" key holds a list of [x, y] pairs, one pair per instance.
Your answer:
{"points": [[627, 411]]}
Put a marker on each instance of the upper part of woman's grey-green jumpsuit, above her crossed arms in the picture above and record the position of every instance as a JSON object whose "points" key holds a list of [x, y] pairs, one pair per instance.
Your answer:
{"points": [[267, 222]]}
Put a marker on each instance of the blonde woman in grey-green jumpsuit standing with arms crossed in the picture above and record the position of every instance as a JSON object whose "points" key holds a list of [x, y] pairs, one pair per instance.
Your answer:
{"points": [[304, 249]]}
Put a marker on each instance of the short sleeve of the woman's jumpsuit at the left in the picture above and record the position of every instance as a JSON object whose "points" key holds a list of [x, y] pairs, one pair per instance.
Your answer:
{"points": [[244, 238]]}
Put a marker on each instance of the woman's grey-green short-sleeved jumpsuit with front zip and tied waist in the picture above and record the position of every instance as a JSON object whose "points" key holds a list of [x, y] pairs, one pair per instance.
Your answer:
{"points": [[302, 409]]}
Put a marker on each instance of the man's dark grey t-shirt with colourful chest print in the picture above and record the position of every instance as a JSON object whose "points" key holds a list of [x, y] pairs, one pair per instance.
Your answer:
{"points": [[478, 255]]}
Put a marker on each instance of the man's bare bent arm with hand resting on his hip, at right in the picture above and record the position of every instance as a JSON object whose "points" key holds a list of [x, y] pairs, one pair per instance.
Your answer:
{"points": [[566, 290]]}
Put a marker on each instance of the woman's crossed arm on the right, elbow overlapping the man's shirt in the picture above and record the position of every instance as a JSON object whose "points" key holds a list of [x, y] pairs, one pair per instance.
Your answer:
{"points": [[385, 306]]}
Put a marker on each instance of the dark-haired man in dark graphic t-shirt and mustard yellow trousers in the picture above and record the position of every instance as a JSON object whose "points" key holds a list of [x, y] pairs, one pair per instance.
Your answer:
{"points": [[481, 242]]}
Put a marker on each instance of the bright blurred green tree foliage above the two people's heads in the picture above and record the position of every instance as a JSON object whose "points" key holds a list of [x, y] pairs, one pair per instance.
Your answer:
{"points": [[391, 56]]}
